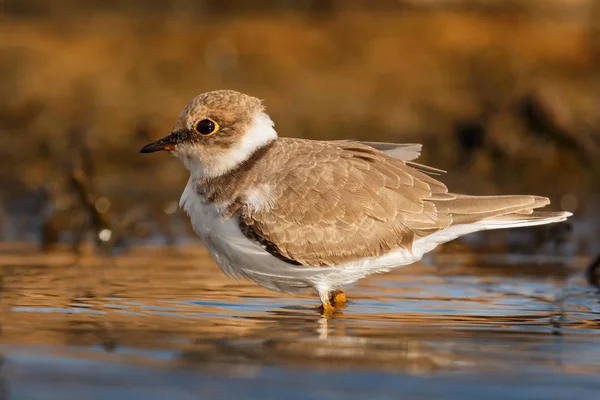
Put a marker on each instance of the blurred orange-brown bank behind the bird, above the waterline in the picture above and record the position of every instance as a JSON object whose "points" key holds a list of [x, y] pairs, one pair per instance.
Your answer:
{"points": [[505, 94]]}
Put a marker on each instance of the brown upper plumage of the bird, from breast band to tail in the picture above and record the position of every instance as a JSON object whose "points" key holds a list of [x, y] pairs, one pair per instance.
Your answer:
{"points": [[326, 203]]}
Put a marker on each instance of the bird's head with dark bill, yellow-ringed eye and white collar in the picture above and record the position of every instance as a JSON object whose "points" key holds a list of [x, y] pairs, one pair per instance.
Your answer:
{"points": [[216, 132]]}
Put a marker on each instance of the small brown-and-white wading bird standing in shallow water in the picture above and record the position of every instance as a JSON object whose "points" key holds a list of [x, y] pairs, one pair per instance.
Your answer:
{"points": [[293, 214]]}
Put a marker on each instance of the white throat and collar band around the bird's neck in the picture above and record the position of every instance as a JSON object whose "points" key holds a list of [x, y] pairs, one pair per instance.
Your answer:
{"points": [[260, 133]]}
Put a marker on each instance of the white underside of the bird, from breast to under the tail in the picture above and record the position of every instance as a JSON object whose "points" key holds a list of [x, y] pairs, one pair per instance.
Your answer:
{"points": [[238, 256]]}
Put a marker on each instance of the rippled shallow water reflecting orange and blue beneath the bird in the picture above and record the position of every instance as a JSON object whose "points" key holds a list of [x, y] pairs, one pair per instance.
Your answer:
{"points": [[165, 323]]}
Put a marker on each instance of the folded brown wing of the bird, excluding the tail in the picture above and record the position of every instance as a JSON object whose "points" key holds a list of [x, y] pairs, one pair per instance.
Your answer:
{"points": [[333, 202]]}
